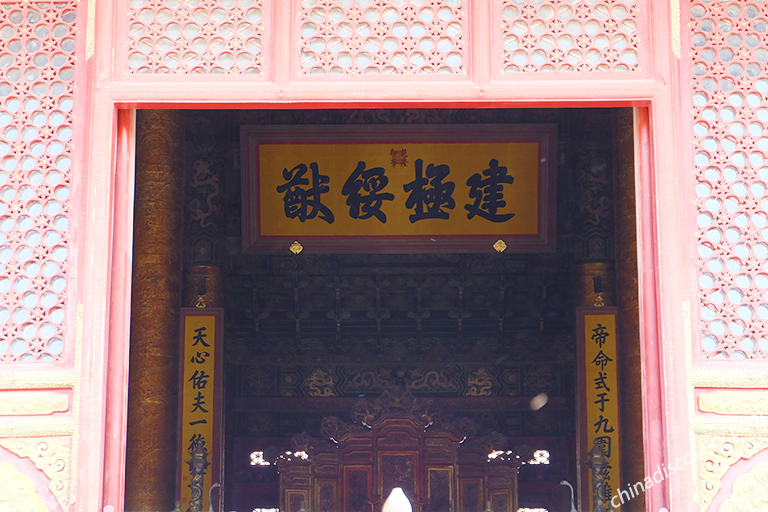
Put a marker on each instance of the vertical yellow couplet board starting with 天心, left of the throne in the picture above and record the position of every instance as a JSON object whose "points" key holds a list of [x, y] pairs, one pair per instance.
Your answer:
{"points": [[201, 401]]}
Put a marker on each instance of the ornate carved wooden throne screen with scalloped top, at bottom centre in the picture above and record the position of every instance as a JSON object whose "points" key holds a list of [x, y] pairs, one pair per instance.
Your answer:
{"points": [[398, 441]]}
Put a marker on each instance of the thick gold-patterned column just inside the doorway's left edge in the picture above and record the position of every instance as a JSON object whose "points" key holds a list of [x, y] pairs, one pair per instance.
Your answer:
{"points": [[151, 444]]}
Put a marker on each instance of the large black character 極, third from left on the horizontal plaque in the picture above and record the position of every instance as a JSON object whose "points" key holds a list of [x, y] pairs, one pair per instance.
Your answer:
{"points": [[434, 198]]}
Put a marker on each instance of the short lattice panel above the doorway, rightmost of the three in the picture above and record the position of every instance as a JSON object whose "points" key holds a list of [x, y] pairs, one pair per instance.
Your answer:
{"points": [[569, 35]]}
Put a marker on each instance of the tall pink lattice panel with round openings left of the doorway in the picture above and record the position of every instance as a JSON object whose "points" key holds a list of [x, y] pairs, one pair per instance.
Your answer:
{"points": [[37, 47]]}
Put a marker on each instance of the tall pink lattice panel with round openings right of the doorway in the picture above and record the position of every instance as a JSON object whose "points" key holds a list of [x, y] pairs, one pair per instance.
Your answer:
{"points": [[729, 89]]}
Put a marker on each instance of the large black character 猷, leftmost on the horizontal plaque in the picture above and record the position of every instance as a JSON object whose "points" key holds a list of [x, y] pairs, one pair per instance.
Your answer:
{"points": [[305, 203]]}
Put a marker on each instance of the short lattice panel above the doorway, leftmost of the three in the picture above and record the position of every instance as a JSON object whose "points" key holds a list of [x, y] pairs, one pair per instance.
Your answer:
{"points": [[195, 37]]}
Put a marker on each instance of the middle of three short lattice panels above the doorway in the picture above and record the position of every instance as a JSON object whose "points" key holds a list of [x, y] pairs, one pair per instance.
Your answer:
{"points": [[388, 37]]}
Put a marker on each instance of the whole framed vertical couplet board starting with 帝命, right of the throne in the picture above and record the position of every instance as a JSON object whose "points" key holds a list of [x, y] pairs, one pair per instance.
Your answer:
{"points": [[598, 393]]}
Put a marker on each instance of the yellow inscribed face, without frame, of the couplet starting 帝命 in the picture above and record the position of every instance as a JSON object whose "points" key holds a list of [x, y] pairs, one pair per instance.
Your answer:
{"points": [[599, 387]]}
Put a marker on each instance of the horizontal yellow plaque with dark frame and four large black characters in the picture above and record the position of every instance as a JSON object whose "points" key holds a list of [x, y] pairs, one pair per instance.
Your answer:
{"points": [[398, 189]]}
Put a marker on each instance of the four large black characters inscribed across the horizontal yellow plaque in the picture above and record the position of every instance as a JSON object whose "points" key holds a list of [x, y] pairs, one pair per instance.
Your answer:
{"points": [[430, 192]]}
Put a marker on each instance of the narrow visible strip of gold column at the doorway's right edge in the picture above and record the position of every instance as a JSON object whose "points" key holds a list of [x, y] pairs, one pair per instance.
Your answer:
{"points": [[629, 364]]}
